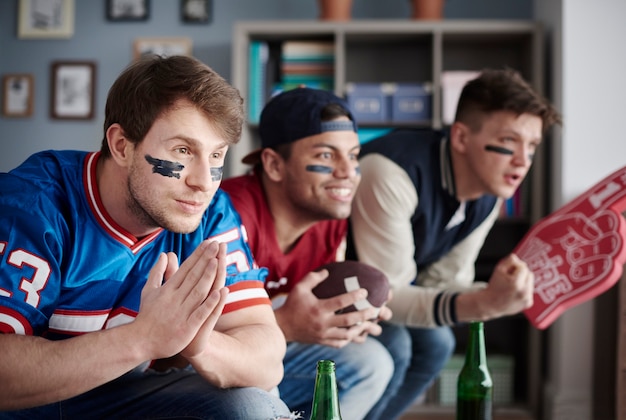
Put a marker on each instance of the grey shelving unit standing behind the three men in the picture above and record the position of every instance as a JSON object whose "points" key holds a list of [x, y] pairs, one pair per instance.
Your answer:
{"points": [[420, 51]]}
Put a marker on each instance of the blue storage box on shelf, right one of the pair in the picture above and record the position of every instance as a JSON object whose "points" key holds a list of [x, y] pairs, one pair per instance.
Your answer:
{"points": [[412, 102]]}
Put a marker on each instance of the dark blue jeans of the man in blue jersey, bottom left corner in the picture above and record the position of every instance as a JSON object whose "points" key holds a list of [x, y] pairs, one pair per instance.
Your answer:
{"points": [[179, 394]]}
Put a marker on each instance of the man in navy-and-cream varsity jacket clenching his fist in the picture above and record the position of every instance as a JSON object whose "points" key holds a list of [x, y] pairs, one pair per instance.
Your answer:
{"points": [[425, 205]]}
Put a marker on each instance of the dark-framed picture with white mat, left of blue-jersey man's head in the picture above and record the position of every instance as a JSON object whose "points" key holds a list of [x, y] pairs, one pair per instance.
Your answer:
{"points": [[73, 90]]}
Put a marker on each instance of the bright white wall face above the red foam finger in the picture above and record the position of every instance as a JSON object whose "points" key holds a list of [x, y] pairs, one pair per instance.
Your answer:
{"points": [[594, 91]]}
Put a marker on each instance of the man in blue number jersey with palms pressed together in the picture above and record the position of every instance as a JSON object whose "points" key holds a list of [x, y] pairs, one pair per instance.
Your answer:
{"points": [[127, 288]]}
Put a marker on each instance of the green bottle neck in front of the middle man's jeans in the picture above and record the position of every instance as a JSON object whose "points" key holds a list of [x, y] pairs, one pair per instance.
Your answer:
{"points": [[325, 395]]}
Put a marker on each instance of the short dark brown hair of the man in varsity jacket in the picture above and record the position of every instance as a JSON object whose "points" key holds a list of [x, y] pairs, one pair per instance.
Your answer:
{"points": [[502, 90]]}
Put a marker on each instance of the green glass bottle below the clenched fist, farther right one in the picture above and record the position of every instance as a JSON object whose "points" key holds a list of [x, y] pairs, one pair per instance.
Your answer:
{"points": [[475, 387]]}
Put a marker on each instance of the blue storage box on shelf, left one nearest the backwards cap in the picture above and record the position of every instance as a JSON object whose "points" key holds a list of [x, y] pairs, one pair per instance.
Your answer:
{"points": [[369, 102]]}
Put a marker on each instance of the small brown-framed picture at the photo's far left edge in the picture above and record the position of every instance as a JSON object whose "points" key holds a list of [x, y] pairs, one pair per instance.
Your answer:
{"points": [[18, 92]]}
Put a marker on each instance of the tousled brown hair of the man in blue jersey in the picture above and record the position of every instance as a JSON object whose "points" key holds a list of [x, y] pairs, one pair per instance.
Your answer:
{"points": [[151, 85]]}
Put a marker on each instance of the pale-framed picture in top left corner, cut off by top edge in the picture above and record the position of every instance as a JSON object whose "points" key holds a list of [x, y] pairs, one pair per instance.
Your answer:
{"points": [[45, 19]]}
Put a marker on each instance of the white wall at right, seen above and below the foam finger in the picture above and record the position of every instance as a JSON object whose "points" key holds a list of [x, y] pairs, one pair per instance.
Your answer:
{"points": [[589, 86]]}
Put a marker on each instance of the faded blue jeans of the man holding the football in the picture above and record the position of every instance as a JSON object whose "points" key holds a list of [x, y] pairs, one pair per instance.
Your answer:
{"points": [[363, 372]]}
